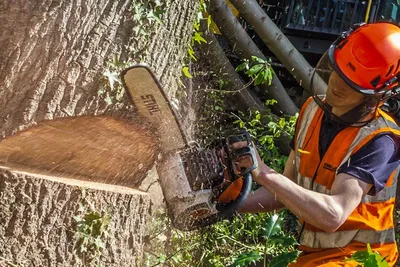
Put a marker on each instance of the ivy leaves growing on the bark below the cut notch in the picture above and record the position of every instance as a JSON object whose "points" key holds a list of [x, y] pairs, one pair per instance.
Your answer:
{"points": [[91, 229]]}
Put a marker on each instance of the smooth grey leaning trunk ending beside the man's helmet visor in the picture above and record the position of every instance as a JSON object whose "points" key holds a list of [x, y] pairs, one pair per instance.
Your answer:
{"points": [[278, 43]]}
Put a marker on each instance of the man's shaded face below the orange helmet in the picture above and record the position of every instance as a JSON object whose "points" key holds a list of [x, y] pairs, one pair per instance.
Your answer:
{"points": [[340, 96]]}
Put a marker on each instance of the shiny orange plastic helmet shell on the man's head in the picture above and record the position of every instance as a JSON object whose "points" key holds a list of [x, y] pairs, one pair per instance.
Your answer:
{"points": [[369, 57]]}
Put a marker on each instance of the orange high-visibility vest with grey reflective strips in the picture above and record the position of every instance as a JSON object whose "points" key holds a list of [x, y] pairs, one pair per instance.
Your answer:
{"points": [[372, 221]]}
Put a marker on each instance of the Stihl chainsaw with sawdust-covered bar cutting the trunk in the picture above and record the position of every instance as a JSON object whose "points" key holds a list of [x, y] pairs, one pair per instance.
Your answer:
{"points": [[200, 187]]}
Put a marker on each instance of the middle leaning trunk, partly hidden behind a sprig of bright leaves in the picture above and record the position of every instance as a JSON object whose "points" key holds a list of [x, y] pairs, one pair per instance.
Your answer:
{"points": [[245, 48]]}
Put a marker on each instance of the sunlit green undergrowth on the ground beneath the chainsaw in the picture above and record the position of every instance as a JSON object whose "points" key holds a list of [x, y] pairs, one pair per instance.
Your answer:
{"points": [[237, 242]]}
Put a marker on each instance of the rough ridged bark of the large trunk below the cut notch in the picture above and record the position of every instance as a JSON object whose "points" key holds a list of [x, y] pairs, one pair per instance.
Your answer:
{"points": [[37, 225]]}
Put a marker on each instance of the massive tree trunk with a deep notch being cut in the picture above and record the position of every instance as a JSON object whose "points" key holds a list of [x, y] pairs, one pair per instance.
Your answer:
{"points": [[52, 63]]}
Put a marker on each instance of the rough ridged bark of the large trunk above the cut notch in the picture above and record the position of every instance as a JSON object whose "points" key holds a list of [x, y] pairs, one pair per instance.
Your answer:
{"points": [[53, 55]]}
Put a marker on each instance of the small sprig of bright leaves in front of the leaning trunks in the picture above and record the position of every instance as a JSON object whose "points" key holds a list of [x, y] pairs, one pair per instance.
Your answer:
{"points": [[258, 69]]}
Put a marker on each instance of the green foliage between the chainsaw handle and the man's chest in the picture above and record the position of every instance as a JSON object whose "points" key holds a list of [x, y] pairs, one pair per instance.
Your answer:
{"points": [[265, 132]]}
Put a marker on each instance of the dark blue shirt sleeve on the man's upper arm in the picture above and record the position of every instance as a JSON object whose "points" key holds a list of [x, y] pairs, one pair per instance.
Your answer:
{"points": [[374, 162]]}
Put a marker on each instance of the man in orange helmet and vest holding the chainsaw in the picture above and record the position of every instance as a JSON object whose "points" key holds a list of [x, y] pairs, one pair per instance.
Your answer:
{"points": [[344, 161]]}
